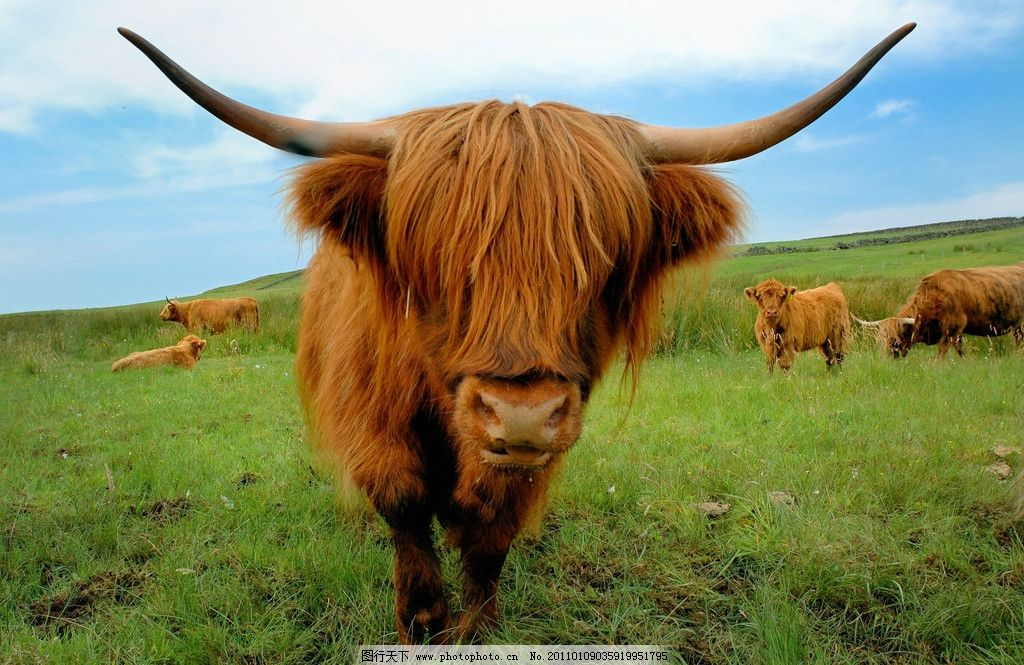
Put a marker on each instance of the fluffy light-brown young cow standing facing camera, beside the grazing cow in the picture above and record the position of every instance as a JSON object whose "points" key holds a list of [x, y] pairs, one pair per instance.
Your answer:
{"points": [[791, 321]]}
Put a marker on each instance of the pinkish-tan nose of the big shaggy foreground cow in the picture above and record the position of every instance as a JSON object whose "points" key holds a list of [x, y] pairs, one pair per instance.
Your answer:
{"points": [[513, 423]]}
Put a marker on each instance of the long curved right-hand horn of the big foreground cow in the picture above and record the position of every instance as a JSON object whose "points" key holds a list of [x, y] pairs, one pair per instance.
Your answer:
{"points": [[731, 143]]}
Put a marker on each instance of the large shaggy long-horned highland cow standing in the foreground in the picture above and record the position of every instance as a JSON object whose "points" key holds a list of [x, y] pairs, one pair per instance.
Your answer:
{"points": [[478, 267]]}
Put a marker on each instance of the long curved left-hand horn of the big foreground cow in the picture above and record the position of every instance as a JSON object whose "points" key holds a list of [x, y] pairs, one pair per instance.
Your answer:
{"points": [[292, 135]]}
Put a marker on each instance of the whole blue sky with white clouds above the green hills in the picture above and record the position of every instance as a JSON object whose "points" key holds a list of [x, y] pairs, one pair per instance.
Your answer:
{"points": [[115, 189]]}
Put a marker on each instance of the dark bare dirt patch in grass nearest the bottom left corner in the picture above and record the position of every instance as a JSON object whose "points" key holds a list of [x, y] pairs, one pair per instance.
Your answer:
{"points": [[65, 610]]}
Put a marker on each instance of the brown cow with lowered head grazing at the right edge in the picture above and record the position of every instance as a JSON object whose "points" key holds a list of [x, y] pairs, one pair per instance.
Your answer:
{"points": [[949, 305]]}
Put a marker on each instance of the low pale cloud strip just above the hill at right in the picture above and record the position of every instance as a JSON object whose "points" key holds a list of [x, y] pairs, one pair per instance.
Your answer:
{"points": [[1004, 200]]}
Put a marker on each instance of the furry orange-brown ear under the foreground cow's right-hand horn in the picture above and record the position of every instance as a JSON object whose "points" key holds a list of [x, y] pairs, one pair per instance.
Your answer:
{"points": [[695, 213]]}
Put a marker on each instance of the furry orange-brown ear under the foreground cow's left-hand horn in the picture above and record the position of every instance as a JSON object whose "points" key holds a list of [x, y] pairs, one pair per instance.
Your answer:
{"points": [[342, 198]]}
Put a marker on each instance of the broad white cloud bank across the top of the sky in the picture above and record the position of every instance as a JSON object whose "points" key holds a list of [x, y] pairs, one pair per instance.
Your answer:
{"points": [[359, 61]]}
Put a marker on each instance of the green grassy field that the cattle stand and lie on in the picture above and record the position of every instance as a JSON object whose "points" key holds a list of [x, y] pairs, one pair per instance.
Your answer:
{"points": [[170, 517]]}
